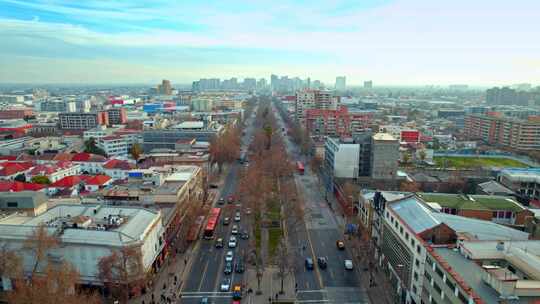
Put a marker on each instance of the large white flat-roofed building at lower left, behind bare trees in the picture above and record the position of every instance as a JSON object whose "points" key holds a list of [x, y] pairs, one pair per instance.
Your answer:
{"points": [[88, 233]]}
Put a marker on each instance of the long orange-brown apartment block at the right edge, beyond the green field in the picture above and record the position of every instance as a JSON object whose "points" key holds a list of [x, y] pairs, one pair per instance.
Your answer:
{"points": [[495, 129]]}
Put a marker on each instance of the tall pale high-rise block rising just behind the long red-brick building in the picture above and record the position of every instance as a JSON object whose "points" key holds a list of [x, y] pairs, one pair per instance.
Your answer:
{"points": [[314, 99]]}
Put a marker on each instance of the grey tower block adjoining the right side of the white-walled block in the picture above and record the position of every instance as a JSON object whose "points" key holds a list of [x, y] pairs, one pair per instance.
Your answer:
{"points": [[384, 156]]}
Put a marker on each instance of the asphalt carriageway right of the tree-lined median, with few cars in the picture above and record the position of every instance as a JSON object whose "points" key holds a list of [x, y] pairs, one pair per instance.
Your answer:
{"points": [[317, 238]]}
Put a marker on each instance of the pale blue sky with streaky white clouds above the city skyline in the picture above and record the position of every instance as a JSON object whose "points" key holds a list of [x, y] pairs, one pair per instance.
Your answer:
{"points": [[402, 42]]}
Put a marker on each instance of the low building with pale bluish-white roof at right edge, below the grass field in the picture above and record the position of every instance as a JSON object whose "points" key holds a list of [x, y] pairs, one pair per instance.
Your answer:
{"points": [[523, 181]]}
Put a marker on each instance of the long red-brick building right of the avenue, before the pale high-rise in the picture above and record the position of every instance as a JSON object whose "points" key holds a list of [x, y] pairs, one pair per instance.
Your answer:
{"points": [[339, 122]]}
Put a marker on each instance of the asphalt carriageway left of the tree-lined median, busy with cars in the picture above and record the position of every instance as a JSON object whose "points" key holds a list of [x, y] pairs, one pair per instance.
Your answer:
{"points": [[206, 273]]}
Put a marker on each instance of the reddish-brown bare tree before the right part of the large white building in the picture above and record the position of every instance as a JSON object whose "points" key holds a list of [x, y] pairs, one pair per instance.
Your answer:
{"points": [[122, 269]]}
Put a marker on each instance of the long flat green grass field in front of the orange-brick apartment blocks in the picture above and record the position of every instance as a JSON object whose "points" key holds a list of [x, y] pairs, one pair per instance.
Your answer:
{"points": [[472, 162]]}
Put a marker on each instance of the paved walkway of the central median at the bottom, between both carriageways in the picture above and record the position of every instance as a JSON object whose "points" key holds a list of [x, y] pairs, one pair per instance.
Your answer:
{"points": [[270, 287]]}
